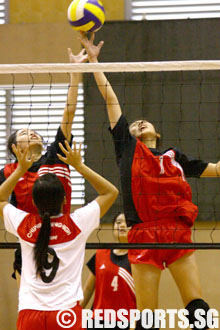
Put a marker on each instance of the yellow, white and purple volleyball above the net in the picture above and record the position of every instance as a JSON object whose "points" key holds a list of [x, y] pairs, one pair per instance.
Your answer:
{"points": [[86, 15]]}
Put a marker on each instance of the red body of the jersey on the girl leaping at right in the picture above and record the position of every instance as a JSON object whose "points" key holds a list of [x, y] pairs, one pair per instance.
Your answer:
{"points": [[159, 188]]}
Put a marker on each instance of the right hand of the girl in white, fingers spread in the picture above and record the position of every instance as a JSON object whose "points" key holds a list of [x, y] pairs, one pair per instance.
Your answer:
{"points": [[73, 156]]}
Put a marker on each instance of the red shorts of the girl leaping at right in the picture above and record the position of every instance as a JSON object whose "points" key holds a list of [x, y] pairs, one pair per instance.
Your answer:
{"points": [[165, 232]]}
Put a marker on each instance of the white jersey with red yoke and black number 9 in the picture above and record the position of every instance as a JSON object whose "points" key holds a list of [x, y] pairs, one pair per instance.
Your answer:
{"points": [[60, 287]]}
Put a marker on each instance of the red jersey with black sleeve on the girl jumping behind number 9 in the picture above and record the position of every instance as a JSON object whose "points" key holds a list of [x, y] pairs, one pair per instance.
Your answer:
{"points": [[48, 163]]}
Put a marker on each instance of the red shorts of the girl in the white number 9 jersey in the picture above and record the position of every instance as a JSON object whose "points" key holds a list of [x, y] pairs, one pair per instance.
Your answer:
{"points": [[50, 320]]}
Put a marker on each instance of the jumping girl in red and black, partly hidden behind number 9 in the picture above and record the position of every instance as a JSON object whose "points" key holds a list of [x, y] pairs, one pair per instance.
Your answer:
{"points": [[43, 163]]}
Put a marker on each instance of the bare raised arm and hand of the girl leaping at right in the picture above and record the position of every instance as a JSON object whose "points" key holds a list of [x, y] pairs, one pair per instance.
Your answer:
{"points": [[111, 100]]}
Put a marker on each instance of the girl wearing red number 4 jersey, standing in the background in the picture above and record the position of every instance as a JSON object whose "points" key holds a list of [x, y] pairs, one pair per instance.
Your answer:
{"points": [[110, 276]]}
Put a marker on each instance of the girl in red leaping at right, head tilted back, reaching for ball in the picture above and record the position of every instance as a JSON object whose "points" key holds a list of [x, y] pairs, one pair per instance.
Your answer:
{"points": [[157, 201]]}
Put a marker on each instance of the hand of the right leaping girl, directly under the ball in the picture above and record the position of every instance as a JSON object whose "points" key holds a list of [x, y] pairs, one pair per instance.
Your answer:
{"points": [[92, 50]]}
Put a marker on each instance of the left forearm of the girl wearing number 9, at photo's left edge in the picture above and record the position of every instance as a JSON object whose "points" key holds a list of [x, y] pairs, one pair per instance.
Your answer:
{"points": [[9, 184]]}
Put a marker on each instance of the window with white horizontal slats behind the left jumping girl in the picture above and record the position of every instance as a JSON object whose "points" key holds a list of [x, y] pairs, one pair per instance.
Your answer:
{"points": [[40, 108]]}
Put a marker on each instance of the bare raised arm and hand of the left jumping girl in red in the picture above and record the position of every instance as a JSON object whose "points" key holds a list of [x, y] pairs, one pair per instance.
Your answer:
{"points": [[70, 108]]}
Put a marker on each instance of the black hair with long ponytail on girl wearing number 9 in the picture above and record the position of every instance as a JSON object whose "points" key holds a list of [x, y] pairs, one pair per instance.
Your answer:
{"points": [[48, 195]]}
